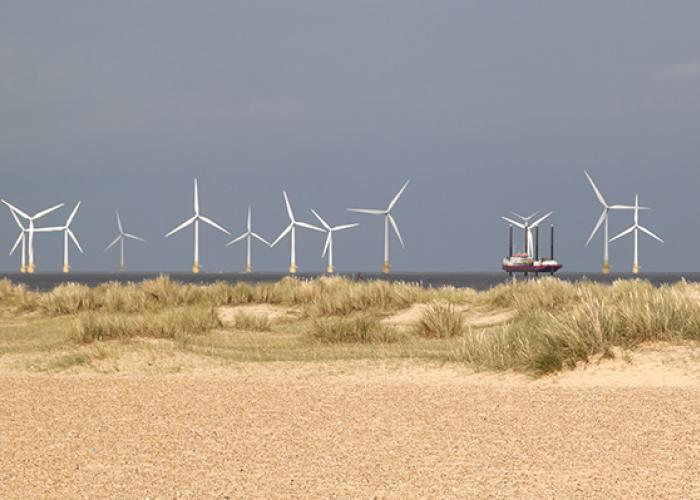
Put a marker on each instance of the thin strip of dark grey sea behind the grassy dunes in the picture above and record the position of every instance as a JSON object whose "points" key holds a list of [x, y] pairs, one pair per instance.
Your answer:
{"points": [[478, 281]]}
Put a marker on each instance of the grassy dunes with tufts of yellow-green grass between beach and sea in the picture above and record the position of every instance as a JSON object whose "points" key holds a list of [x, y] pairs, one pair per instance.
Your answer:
{"points": [[542, 326]]}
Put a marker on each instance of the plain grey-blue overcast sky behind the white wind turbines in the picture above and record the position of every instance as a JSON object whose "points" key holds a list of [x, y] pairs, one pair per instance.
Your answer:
{"points": [[485, 106]]}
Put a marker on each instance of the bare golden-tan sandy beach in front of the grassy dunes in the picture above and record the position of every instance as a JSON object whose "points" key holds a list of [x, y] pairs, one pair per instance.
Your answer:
{"points": [[355, 429]]}
